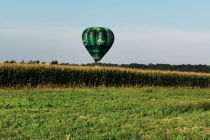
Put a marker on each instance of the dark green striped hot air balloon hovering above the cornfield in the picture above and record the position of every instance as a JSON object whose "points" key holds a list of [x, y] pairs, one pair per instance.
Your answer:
{"points": [[98, 41]]}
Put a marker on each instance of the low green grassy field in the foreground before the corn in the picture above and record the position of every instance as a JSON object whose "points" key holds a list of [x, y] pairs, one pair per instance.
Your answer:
{"points": [[147, 113]]}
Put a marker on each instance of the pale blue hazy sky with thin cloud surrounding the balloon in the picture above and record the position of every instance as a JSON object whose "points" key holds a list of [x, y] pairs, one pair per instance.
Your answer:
{"points": [[146, 31]]}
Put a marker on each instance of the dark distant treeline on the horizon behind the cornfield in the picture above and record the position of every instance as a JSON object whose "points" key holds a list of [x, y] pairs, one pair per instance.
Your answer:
{"points": [[183, 67]]}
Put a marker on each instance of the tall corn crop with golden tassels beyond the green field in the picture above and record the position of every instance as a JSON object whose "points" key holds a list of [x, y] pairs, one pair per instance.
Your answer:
{"points": [[34, 75]]}
